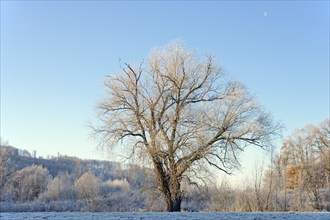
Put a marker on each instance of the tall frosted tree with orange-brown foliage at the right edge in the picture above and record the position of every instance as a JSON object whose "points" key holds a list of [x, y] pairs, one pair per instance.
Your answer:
{"points": [[307, 152]]}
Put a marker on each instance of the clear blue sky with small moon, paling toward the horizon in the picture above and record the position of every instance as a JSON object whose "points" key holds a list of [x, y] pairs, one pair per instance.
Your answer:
{"points": [[56, 54]]}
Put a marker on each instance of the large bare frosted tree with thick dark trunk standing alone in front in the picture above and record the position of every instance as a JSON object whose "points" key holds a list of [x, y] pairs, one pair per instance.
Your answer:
{"points": [[178, 112]]}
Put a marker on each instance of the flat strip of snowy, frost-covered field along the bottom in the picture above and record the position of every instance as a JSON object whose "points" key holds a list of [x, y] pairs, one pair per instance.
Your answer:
{"points": [[163, 215]]}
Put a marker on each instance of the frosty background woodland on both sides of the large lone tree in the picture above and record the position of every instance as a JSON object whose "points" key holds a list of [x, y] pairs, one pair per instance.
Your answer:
{"points": [[297, 179]]}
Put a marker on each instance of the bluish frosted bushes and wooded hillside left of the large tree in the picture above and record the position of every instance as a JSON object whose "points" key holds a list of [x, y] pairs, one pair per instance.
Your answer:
{"points": [[67, 183]]}
